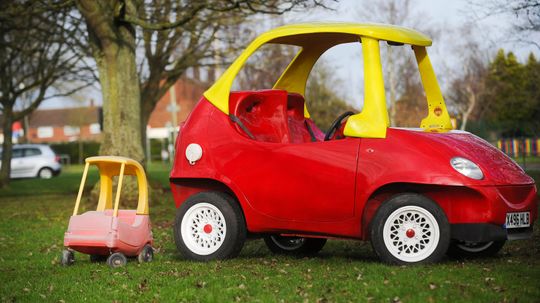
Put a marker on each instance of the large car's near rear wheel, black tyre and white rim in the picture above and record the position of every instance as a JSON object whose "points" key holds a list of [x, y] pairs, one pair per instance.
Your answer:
{"points": [[208, 226]]}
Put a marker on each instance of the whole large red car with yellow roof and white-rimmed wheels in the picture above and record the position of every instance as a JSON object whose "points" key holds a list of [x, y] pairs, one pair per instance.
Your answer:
{"points": [[254, 162]]}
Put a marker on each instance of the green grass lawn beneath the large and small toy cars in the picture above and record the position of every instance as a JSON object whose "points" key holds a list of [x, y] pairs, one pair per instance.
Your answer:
{"points": [[36, 213]]}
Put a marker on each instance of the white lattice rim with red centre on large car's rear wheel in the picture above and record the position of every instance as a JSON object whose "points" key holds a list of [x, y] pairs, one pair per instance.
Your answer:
{"points": [[203, 229]]}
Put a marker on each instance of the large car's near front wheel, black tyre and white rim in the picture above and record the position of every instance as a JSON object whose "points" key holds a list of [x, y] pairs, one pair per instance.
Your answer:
{"points": [[410, 228]]}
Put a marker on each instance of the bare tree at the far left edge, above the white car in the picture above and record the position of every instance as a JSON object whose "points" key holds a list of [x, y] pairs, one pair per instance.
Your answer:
{"points": [[35, 54]]}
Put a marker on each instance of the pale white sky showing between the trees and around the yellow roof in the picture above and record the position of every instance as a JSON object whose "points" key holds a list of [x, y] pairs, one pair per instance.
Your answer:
{"points": [[448, 16]]}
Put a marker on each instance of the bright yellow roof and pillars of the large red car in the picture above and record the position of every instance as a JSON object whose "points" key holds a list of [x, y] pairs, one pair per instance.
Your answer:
{"points": [[314, 39]]}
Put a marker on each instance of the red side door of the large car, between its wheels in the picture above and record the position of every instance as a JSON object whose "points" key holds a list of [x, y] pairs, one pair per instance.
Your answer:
{"points": [[308, 182]]}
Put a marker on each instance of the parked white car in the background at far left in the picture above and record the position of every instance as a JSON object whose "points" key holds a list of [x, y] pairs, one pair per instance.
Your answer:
{"points": [[34, 160]]}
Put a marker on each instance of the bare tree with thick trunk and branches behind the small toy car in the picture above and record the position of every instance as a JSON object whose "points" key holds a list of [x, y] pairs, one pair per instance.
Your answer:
{"points": [[112, 34]]}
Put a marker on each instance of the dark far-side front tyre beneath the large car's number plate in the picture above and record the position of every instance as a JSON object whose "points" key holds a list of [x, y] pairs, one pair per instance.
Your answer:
{"points": [[465, 249]]}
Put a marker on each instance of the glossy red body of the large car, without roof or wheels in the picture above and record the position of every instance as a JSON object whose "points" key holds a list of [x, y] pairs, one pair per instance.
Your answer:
{"points": [[290, 185]]}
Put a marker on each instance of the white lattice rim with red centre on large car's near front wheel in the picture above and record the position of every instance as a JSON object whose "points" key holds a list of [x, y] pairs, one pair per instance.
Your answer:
{"points": [[411, 233]]}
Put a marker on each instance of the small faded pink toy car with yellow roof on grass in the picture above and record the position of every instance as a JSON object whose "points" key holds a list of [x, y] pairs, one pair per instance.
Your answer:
{"points": [[108, 231]]}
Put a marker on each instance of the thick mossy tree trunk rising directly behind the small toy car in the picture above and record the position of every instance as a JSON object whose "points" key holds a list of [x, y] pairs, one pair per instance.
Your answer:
{"points": [[113, 45]]}
